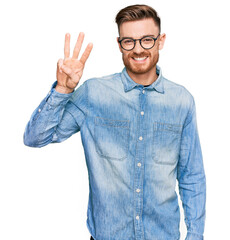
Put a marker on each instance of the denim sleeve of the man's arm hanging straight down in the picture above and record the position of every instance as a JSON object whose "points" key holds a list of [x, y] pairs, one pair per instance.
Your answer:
{"points": [[191, 178]]}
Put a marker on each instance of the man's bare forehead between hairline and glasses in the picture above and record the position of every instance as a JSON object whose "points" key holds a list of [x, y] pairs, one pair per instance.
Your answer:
{"points": [[139, 28]]}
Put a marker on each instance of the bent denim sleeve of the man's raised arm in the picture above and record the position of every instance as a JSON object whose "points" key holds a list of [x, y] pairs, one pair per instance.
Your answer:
{"points": [[57, 117]]}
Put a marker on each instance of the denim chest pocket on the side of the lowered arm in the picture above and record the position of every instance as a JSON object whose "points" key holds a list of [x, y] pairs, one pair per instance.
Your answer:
{"points": [[166, 143]]}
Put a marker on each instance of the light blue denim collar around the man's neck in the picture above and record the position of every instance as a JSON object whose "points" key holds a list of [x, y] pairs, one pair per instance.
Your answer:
{"points": [[129, 84]]}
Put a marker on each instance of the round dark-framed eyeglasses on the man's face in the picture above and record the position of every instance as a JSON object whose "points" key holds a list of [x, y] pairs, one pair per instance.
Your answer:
{"points": [[146, 42]]}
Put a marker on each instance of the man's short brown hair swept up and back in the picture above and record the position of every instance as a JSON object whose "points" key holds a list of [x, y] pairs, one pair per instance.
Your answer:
{"points": [[137, 12]]}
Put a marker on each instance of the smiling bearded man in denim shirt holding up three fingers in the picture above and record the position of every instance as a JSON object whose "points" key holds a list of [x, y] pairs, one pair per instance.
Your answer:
{"points": [[139, 135]]}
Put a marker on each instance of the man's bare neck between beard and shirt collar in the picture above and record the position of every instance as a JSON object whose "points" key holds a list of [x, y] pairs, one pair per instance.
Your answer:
{"points": [[144, 78]]}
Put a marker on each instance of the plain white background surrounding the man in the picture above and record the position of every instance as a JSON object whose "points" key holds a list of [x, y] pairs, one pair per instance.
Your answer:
{"points": [[44, 192]]}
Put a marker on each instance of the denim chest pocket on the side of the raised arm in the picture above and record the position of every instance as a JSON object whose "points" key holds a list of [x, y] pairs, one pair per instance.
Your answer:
{"points": [[112, 138]]}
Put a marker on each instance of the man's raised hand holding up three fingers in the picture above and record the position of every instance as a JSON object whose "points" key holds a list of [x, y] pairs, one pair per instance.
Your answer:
{"points": [[70, 69]]}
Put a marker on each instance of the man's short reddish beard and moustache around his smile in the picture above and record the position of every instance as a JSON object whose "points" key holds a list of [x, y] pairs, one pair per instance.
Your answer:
{"points": [[138, 68]]}
